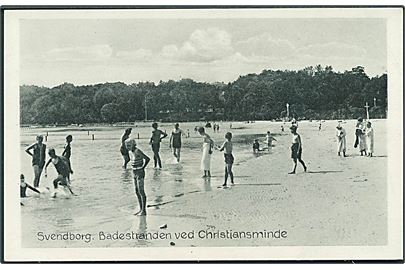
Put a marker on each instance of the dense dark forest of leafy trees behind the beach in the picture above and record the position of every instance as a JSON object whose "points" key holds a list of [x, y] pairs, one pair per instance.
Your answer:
{"points": [[312, 93]]}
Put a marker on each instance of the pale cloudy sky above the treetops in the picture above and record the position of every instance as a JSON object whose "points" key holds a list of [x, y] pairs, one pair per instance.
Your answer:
{"points": [[90, 51]]}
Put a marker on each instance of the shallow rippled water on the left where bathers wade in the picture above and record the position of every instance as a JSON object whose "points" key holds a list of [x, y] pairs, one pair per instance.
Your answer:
{"points": [[105, 190]]}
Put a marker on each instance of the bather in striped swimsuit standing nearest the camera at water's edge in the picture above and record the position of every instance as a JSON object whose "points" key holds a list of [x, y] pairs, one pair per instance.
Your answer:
{"points": [[139, 162]]}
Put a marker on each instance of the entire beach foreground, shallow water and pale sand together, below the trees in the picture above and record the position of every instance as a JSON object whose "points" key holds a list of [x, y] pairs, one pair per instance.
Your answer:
{"points": [[338, 201]]}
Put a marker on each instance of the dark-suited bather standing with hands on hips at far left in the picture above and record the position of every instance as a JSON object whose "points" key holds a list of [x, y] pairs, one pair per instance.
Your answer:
{"points": [[38, 158]]}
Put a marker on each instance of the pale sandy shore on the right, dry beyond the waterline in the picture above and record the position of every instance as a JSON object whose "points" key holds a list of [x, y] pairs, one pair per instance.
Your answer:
{"points": [[339, 201]]}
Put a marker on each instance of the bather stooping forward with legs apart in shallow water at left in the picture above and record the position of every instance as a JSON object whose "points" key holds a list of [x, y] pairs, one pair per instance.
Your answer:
{"points": [[62, 168]]}
